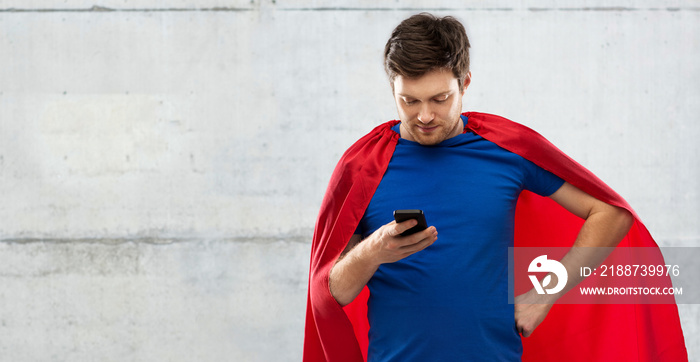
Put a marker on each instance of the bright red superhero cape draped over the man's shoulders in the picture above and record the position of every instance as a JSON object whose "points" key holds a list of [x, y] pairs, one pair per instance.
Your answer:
{"points": [[630, 332]]}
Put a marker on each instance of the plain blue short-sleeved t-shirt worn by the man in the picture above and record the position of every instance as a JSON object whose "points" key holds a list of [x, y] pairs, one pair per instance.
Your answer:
{"points": [[449, 302]]}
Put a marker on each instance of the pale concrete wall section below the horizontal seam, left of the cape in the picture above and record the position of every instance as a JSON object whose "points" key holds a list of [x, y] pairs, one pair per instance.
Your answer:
{"points": [[190, 300]]}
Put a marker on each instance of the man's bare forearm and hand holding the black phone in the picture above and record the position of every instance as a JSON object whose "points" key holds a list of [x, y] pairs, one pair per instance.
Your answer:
{"points": [[360, 260]]}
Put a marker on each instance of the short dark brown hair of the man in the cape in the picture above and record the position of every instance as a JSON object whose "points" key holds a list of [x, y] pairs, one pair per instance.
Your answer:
{"points": [[423, 43]]}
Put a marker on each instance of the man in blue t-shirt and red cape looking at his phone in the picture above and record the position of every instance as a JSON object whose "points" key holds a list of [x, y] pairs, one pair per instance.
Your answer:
{"points": [[446, 298]]}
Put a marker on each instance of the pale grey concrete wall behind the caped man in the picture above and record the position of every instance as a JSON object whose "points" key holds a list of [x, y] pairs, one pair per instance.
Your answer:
{"points": [[162, 162]]}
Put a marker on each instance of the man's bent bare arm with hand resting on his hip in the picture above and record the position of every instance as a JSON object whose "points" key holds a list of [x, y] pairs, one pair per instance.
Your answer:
{"points": [[605, 226]]}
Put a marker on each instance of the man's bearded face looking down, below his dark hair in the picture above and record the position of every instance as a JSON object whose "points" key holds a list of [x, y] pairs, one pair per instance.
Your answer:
{"points": [[429, 106]]}
